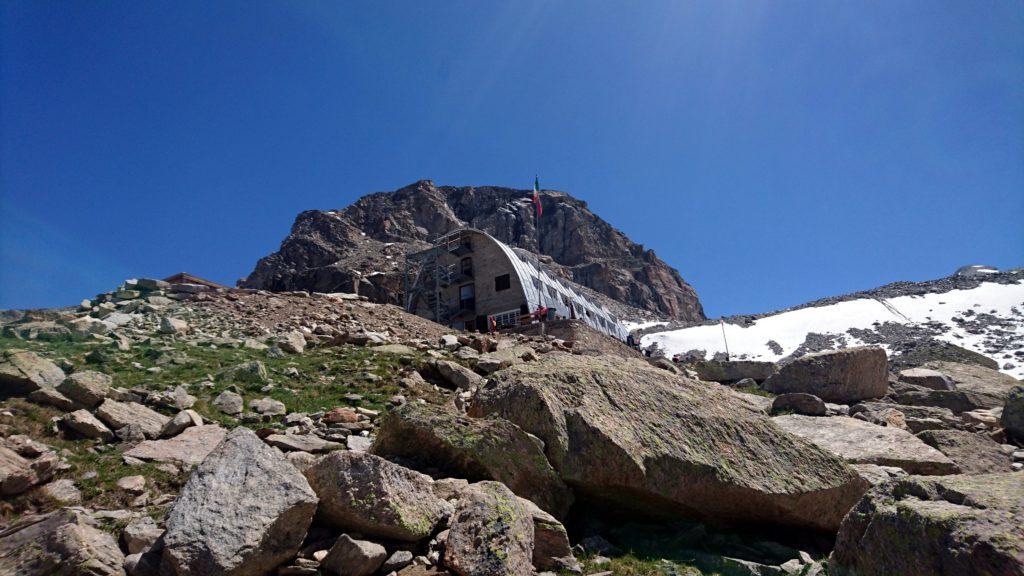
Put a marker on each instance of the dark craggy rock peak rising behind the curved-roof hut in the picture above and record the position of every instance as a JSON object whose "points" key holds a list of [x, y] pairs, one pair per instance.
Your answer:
{"points": [[349, 251]]}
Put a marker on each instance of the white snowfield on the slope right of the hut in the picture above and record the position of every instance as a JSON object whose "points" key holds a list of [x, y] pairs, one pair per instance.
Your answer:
{"points": [[989, 319]]}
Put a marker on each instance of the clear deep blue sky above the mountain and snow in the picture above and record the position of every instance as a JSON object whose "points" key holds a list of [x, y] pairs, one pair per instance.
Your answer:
{"points": [[774, 152]]}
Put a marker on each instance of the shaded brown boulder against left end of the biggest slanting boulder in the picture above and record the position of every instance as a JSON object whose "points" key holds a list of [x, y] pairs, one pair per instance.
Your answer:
{"points": [[476, 449]]}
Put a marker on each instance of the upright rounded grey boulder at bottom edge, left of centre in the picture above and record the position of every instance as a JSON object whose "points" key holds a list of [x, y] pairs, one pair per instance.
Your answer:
{"points": [[492, 533]]}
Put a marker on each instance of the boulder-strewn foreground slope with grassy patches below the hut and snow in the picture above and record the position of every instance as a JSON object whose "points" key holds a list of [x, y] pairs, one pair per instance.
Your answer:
{"points": [[178, 430]]}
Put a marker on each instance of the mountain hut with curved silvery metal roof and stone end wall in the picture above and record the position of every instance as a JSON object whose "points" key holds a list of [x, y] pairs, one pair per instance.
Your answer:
{"points": [[470, 280]]}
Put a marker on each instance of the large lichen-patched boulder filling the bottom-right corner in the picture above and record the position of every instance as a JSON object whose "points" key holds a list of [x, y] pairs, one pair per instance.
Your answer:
{"points": [[930, 526]]}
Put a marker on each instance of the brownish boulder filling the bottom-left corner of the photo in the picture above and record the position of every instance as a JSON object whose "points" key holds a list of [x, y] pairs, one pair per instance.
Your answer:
{"points": [[66, 543]]}
